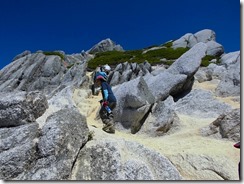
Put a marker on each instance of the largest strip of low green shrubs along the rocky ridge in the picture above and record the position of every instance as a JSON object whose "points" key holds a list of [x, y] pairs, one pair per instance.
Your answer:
{"points": [[136, 56]]}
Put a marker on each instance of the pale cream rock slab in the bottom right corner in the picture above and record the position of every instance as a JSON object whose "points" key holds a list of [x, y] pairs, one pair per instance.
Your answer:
{"points": [[205, 167]]}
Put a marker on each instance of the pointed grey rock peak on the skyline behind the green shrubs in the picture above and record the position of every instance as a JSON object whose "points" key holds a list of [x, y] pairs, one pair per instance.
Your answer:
{"points": [[105, 45]]}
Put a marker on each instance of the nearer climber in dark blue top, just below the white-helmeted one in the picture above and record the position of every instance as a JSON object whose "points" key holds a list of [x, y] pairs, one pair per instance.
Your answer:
{"points": [[108, 103]]}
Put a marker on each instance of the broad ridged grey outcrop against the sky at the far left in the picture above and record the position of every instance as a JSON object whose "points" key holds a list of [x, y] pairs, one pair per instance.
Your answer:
{"points": [[42, 72]]}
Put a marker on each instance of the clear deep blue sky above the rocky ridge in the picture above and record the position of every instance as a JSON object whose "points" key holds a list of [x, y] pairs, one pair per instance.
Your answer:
{"points": [[76, 25]]}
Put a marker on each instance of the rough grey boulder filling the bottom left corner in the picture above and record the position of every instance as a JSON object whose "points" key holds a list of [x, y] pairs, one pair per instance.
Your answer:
{"points": [[17, 149]]}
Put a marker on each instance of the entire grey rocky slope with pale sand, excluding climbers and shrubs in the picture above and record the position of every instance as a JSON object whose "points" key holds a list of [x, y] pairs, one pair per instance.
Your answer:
{"points": [[172, 123]]}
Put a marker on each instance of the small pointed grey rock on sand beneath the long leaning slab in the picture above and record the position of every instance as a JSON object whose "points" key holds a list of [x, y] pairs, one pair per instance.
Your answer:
{"points": [[162, 119]]}
